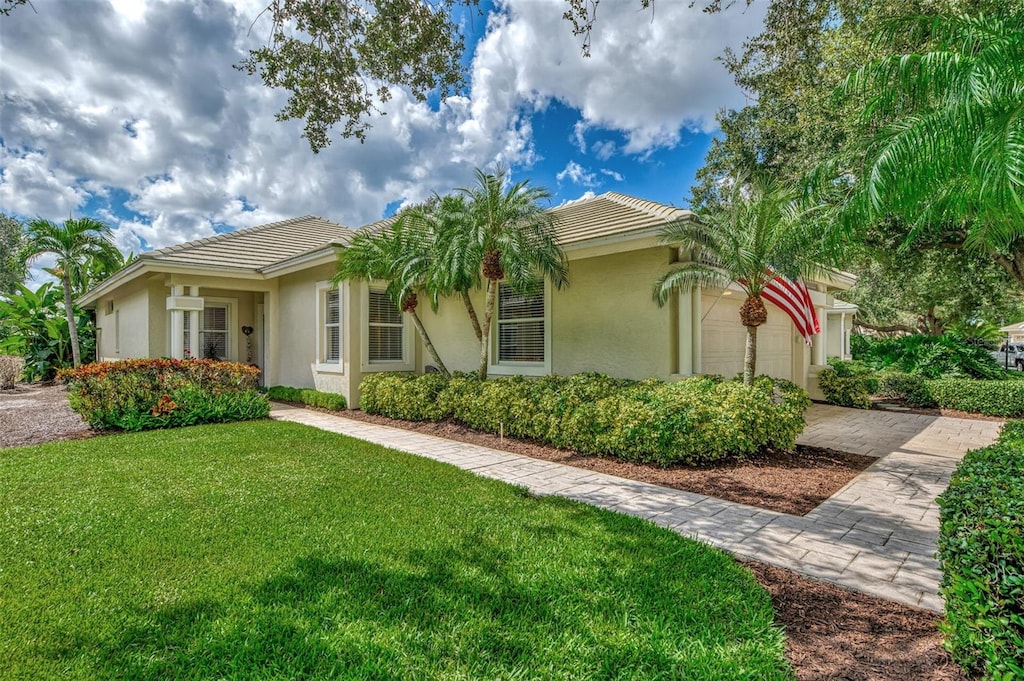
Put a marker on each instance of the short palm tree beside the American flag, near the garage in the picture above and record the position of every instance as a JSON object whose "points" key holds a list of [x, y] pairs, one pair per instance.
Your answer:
{"points": [[761, 231]]}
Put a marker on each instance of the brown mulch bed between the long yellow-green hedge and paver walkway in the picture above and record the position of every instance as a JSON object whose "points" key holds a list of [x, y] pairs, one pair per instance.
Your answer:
{"points": [[793, 483]]}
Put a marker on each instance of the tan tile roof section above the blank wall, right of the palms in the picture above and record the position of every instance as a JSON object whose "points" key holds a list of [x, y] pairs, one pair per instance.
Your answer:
{"points": [[613, 215]]}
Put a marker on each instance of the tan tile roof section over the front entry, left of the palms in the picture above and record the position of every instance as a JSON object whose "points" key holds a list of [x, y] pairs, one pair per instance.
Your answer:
{"points": [[257, 247]]}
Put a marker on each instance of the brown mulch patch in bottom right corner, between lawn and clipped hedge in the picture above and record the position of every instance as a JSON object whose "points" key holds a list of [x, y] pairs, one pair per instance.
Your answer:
{"points": [[837, 634]]}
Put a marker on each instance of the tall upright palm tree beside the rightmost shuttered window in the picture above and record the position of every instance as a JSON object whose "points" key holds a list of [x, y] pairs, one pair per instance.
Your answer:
{"points": [[506, 235]]}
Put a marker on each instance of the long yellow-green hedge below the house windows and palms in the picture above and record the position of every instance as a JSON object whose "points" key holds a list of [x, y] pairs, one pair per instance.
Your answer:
{"points": [[697, 420]]}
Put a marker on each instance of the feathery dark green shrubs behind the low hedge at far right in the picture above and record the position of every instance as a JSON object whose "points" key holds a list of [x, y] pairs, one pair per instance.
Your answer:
{"points": [[930, 357]]}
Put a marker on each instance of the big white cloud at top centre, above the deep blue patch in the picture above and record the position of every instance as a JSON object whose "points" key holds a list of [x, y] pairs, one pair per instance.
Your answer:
{"points": [[650, 75]]}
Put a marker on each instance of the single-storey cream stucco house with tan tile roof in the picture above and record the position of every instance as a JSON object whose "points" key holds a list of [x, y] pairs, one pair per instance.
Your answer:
{"points": [[198, 300]]}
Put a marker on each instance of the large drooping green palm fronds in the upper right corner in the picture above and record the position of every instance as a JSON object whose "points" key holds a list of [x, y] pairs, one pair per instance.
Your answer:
{"points": [[951, 150]]}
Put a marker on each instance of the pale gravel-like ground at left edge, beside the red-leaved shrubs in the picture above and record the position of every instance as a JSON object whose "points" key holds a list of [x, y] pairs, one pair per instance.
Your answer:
{"points": [[35, 414]]}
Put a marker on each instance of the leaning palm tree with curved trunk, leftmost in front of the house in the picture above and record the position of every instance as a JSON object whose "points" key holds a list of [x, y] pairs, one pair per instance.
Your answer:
{"points": [[402, 256]]}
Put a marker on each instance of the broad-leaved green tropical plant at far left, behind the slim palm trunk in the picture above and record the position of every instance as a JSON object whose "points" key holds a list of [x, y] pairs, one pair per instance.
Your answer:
{"points": [[33, 326]]}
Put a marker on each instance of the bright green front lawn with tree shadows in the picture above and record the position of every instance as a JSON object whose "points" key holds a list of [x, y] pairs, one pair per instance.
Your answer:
{"points": [[274, 550]]}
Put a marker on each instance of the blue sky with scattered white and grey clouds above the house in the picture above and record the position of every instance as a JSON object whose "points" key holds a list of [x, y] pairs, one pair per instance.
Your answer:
{"points": [[131, 112]]}
